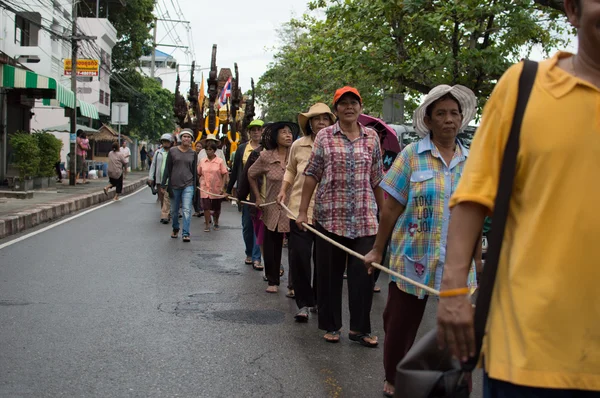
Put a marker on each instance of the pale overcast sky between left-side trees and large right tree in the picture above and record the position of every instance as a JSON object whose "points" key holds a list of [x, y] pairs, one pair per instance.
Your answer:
{"points": [[245, 32]]}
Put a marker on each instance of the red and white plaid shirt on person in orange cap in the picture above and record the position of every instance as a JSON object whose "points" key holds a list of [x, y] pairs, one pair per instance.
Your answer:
{"points": [[347, 172]]}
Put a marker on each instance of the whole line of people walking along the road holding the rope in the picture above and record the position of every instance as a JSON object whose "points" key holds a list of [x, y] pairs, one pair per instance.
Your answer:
{"points": [[542, 337]]}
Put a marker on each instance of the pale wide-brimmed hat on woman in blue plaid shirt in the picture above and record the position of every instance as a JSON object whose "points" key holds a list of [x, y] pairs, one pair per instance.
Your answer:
{"points": [[466, 98]]}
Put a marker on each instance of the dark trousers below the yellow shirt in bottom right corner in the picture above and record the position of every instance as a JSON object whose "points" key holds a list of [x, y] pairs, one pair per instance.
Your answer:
{"points": [[493, 388]]}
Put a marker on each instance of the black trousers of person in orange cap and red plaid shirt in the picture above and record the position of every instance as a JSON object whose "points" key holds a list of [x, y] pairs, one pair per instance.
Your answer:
{"points": [[331, 263]]}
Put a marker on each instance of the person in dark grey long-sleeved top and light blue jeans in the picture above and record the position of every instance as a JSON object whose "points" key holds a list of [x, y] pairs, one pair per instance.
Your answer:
{"points": [[180, 180]]}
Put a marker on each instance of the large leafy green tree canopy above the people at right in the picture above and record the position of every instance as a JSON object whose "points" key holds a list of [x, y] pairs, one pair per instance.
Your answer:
{"points": [[402, 46]]}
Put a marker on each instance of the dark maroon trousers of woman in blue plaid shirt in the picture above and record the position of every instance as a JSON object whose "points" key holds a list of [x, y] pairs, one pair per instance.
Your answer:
{"points": [[401, 319]]}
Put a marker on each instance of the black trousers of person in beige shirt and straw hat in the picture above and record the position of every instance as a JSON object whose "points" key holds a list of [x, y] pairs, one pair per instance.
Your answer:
{"points": [[300, 253]]}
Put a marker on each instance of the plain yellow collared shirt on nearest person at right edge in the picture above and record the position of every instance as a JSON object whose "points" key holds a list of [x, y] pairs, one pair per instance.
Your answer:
{"points": [[543, 328]]}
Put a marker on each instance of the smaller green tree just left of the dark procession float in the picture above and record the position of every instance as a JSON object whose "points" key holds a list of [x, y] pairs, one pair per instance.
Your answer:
{"points": [[150, 105]]}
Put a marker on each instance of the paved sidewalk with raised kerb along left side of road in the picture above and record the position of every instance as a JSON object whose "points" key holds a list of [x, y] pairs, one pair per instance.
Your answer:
{"points": [[17, 215]]}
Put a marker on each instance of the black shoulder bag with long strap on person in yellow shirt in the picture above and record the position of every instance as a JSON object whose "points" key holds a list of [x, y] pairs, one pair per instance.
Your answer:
{"points": [[426, 371]]}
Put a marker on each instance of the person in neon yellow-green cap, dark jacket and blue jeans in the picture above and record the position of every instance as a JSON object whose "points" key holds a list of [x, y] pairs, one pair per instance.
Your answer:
{"points": [[252, 249]]}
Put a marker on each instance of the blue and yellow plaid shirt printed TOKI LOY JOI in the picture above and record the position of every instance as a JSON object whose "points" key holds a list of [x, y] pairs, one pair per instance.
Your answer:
{"points": [[421, 181]]}
